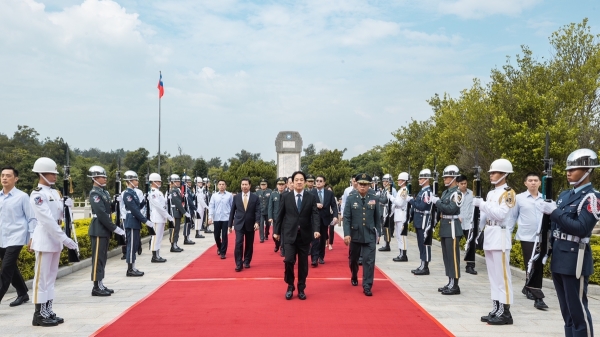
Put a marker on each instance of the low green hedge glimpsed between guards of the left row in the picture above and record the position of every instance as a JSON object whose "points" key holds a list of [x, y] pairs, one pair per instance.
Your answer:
{"points": [[26, 261]]}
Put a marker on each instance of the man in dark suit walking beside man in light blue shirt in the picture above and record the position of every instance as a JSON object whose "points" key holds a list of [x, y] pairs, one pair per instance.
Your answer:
{"points": [[244, 217]]}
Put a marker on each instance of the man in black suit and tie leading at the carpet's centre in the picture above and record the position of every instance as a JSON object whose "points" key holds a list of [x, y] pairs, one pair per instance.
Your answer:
{"points": [[298, 222]]}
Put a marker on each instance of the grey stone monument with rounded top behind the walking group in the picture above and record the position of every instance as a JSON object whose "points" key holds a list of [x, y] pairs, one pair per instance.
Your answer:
{"points": [[288, 145]]}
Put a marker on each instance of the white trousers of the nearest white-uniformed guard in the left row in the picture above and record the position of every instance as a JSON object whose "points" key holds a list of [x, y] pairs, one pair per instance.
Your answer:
{"points": [[46, 268]]}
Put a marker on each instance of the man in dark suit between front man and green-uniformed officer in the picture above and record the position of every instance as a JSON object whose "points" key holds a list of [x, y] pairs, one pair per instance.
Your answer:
{"points": [[328, 212]]}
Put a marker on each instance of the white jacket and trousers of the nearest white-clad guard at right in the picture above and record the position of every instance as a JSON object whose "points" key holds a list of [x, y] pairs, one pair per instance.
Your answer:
{"points": [[497, 215]]}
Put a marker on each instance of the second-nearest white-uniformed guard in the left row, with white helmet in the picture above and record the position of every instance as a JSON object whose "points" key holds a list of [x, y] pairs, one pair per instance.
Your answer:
{"points": [[158, 215]]}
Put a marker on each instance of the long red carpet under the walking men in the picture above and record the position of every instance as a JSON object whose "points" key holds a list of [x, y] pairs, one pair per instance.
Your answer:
{"points": [[208, 298]]}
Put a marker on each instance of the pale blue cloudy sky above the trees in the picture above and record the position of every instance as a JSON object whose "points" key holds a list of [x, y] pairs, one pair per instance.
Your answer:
{"points": [[345, 74]]}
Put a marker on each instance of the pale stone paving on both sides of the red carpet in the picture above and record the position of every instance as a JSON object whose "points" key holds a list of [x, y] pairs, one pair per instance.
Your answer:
{"points": [[85, 314]]}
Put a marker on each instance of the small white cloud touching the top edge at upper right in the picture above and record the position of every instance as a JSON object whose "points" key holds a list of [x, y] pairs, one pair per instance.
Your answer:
{"points": [[477, 9]]}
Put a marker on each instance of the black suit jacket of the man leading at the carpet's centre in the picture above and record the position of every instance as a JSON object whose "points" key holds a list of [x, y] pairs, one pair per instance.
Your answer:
{"points": [[289, 218]]}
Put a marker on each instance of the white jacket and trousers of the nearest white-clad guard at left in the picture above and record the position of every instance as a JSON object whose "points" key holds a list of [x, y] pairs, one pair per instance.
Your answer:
{"points": [[47, 241]]}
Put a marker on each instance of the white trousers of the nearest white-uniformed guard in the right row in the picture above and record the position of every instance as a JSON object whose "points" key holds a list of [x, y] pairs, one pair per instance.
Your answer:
{"points": [[499, 274]]}
